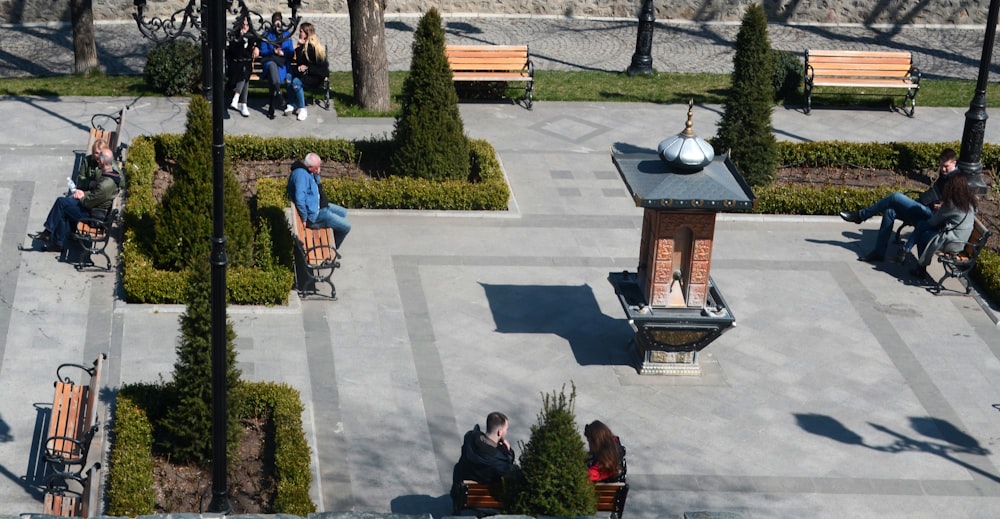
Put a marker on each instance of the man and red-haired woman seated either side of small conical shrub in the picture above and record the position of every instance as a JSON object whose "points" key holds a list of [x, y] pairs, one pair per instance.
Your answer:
{"points": [[487, 457]]}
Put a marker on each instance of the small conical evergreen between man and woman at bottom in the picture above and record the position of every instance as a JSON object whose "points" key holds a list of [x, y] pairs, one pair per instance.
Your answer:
{"points": [[553, 465]]}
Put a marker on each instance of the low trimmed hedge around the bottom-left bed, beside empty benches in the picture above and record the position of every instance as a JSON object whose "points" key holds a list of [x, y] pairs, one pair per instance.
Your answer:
{"points": [[130, 478]]}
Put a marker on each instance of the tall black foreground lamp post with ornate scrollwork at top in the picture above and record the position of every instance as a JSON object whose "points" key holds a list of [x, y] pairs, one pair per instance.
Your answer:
{"points": [[209, 21]]}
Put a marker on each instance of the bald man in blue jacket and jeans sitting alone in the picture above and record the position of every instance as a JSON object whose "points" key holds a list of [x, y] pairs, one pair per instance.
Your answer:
{"points": [[316, 210]]}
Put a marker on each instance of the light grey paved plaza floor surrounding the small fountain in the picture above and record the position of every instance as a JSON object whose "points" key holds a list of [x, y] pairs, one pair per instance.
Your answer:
{"points": [[844, 390]]}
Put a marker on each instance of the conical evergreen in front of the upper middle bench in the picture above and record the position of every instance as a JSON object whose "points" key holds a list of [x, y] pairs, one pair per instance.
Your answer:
{"points": [[429, 136]]}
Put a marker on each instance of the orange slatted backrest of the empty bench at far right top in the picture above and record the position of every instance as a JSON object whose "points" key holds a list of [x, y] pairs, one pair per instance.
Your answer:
{"points": [[850, 63]]}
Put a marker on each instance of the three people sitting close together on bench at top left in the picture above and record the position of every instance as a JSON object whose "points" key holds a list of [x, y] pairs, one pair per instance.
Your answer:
{"points": [[284, 63]]}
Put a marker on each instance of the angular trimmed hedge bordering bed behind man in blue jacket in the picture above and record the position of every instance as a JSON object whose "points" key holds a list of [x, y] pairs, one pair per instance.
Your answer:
{"points": [[143, 283]]}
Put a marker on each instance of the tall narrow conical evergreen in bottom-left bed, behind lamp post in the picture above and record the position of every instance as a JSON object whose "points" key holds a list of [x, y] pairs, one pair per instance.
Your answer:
{"points": [[187, 426]]}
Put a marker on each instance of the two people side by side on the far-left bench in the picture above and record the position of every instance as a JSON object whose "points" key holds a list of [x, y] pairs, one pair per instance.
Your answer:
{"points": [[98, 182]]}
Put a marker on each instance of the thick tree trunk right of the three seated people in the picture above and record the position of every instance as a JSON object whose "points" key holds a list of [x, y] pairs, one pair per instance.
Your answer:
{"points": [[369, 63]]}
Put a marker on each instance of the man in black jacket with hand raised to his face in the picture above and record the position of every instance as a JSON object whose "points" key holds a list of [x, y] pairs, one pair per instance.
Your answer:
{"points": [[486, 457]]}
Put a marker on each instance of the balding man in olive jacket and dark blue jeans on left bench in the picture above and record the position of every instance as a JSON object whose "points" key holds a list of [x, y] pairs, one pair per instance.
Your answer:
{"points": [[94, 201]]}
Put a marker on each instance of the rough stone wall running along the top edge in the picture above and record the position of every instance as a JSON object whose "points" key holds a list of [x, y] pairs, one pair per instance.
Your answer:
{"points": [[964, 12]]}
